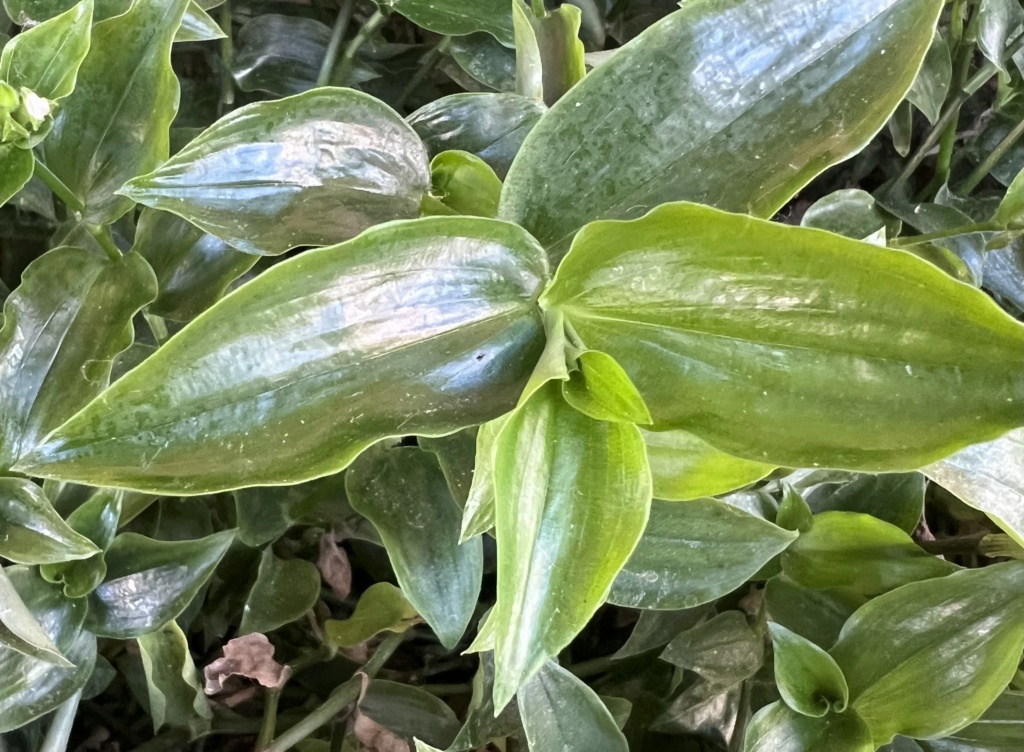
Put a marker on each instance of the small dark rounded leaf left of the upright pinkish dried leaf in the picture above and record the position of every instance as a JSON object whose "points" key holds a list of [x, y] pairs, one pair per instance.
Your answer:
{"points": [[284, 592]]}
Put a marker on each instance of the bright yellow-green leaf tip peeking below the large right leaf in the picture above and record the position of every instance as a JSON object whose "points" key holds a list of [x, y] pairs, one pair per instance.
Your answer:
{"points": [[686, 468]]}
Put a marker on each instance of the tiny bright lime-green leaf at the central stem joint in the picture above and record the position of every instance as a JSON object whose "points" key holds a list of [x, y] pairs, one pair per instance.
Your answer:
{"points": [[602, 390]]}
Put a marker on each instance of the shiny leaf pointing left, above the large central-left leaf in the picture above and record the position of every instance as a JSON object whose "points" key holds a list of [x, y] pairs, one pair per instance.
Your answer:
{"points": [[308, 171]]}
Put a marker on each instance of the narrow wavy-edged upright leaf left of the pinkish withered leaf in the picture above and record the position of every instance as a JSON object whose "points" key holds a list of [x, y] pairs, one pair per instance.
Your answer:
{"points": [[177, 699]]}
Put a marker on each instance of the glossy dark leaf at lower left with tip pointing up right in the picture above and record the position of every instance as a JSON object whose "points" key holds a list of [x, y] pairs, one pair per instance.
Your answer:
{"points": [[151, 582]]}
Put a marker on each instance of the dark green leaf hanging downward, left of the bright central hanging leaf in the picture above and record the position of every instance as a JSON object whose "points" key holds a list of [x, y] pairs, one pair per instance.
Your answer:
{"points": [[404, 493]]}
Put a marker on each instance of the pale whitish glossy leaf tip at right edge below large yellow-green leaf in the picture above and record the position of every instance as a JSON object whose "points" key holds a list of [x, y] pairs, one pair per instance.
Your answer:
{"points": [[991, 478]]}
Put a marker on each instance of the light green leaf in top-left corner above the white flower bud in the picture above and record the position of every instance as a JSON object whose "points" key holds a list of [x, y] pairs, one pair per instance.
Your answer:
{"points": [[47, 58]]}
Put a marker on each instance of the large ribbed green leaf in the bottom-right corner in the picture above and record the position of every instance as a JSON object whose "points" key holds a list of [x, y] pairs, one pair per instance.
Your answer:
{"points": [[930, 658]]}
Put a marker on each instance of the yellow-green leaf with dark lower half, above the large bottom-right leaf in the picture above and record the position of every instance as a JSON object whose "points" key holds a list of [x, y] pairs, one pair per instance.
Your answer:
{"points": [[848, 550]]}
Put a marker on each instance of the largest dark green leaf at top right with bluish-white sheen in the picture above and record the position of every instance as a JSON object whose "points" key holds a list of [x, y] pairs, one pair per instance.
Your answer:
{"points": [[718, 124]]}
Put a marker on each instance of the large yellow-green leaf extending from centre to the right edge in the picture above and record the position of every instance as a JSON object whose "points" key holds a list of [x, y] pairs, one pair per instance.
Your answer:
{"points": [[793, 347]]}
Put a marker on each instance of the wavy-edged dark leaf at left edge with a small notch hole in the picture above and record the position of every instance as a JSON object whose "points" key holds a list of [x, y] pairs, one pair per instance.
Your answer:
{"points": [[63, 326]]}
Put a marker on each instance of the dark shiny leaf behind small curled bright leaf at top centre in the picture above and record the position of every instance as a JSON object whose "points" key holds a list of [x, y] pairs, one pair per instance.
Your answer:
{"points": [[492, 127]]}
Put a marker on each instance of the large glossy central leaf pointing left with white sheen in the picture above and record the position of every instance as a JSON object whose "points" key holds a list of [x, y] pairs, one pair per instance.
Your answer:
{"points": [[421, 327]]}
